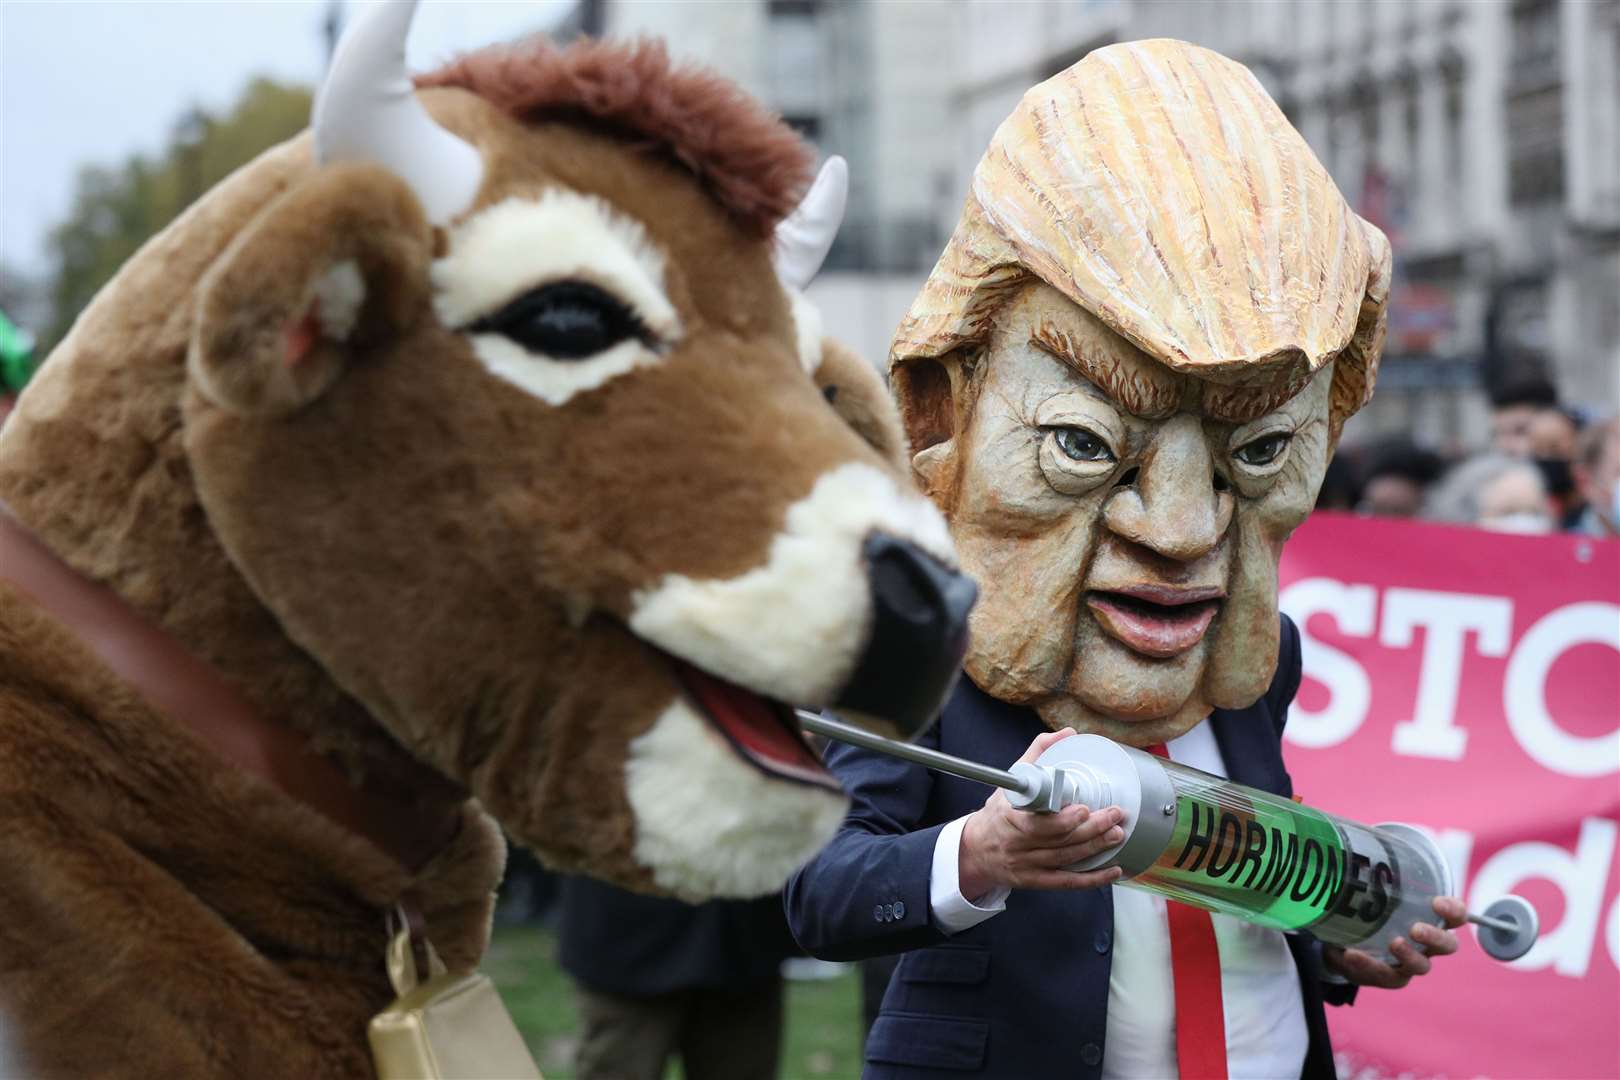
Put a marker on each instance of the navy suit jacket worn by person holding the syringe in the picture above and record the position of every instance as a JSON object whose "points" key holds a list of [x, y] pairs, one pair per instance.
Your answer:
{"points": [[1026, 993]]}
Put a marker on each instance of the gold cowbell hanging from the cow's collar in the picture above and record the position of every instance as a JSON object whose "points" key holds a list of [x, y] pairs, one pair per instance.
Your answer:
{"points": [[445, 1027]]}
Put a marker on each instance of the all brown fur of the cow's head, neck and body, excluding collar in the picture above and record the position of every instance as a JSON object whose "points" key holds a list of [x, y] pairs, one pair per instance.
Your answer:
{"points": [[385, 546]]}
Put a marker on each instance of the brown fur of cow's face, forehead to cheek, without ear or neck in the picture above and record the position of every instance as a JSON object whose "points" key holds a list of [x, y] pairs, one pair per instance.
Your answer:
{"points": [[343, 495]]}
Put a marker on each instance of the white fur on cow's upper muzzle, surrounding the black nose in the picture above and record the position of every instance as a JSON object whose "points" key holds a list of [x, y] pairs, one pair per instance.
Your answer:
{"points": [[795, 627]]}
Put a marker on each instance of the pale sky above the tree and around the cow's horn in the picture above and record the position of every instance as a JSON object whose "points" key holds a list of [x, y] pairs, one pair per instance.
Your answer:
{"points": [[93, 82]]}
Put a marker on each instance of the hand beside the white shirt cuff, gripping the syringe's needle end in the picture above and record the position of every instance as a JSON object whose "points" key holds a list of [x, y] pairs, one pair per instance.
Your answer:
{"points": [[1017, 849]]}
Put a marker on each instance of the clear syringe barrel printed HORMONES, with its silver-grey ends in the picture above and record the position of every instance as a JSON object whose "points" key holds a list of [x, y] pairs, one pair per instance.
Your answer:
{"points": [[1238, 851]]}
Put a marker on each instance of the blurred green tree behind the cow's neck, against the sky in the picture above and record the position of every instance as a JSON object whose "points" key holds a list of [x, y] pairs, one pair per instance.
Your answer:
{"points": [[116, 210]]}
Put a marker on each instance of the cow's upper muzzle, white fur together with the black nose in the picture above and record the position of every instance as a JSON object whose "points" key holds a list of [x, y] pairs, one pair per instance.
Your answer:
{"points": [[856, 606]]}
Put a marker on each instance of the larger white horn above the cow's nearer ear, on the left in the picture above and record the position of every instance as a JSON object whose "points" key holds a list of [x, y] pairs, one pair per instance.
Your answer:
{"points": [[369, 111]]}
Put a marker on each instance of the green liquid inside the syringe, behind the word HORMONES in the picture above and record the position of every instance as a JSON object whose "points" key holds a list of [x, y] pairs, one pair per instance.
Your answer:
{"points": [[1268, 861]]}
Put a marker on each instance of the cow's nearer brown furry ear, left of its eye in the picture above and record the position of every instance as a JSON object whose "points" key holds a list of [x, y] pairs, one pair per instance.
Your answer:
{"points": [[335, 266]]}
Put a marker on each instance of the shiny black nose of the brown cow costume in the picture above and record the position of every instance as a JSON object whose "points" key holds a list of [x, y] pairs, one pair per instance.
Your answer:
{"points": [[919, 636]]}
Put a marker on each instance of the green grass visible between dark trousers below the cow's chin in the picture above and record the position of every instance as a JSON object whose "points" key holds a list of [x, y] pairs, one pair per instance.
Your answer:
{"points": [[824, 1018]]}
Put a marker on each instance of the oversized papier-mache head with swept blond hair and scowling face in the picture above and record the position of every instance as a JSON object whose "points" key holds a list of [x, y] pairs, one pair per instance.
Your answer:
{"points": [[1125, 378]]}
